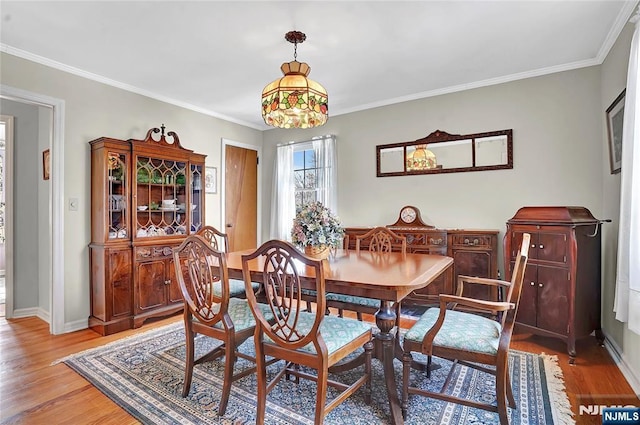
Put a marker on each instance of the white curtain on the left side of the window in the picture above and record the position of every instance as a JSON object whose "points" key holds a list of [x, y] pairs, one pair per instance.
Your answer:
{"points": [[283, 207]]}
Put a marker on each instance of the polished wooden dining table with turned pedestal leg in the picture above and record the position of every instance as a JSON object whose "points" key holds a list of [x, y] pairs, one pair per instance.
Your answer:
{"points": [[388, 276]]}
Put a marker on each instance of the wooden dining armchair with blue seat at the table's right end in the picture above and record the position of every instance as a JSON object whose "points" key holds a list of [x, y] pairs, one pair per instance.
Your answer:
{"points": [[469, 339]]}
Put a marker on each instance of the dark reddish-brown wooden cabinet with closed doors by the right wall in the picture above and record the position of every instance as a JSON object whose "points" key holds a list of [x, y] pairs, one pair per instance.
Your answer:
{"points": [[561, 290]]}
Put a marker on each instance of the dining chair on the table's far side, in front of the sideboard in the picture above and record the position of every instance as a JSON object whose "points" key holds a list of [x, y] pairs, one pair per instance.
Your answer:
{"points": [[380, 239]]}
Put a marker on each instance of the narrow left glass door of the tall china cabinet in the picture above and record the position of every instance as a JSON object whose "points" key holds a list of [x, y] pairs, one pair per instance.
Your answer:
{"points": [[117, 218]]}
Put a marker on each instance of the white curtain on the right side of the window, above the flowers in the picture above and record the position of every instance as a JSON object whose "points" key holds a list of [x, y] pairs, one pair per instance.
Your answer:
{"points": [[325, 150]]}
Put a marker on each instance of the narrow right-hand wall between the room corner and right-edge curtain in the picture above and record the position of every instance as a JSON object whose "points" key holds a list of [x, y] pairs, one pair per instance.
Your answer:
{"points": [[614, 80]]}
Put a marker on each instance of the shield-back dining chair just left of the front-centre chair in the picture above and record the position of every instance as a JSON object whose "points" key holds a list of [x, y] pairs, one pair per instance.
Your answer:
{"points": [[209, 310]]}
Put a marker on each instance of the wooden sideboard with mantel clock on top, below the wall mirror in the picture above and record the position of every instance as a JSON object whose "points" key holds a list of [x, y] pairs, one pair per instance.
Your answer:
{"points": [[474, 253]]}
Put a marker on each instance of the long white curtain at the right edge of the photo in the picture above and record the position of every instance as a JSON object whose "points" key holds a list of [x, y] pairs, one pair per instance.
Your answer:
{"points": [[627, 300]]}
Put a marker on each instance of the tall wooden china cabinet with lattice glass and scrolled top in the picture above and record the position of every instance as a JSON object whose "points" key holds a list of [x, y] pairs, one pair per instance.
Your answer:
{"points": [[146, 196]]}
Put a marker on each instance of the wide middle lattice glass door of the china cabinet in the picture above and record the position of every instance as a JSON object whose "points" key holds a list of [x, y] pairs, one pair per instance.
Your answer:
{"points": [[162, 201]]}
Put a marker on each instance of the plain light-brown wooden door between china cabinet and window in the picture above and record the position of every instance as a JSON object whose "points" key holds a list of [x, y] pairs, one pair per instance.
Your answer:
{"points": [[241, 197]]}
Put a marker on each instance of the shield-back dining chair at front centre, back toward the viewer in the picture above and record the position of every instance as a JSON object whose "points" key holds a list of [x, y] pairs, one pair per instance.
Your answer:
{"points": [[313, 341]]}
